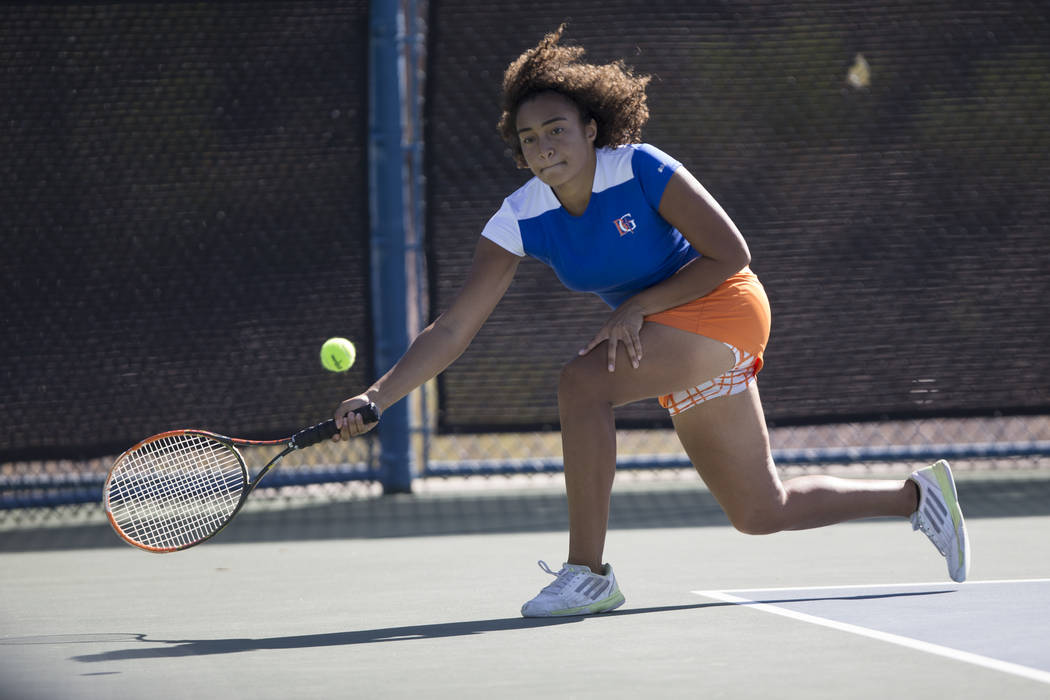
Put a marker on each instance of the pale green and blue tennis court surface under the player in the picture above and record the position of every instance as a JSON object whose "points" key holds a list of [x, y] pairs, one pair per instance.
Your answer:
{"points": [[418, 597]]}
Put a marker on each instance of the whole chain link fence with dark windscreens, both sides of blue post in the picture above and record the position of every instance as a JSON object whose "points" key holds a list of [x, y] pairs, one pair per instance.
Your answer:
{"points": [[185, 201]]}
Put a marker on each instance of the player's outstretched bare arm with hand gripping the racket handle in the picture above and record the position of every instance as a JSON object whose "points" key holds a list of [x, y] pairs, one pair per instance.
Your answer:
{"points": [[444, 341]]}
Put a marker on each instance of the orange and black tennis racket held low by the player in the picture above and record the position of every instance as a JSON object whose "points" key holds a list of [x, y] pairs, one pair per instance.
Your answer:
{"points": [[180, 489]]}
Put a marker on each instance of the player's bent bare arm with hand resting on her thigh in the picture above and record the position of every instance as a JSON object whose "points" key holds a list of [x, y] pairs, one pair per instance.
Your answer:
{"points": [[691, 209]]}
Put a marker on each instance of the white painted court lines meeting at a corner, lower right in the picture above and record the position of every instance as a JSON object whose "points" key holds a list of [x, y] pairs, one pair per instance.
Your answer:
{"points": [[968, 657]]}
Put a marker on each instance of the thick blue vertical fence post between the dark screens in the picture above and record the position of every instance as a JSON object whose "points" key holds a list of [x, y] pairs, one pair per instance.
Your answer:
{"points": [[389, 230]]}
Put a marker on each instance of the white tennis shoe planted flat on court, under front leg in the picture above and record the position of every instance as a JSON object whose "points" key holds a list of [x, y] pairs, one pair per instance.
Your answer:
{"points": [[576, 590]]}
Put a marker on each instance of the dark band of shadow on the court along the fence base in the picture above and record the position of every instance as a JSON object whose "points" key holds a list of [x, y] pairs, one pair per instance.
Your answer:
{"points": [[500, 513]]}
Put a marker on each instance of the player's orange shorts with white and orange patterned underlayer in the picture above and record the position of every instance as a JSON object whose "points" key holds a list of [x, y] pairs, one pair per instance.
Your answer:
{"points": [[738, 314]]}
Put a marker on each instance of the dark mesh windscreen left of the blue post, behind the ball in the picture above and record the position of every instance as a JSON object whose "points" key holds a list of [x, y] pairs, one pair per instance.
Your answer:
{"points": [[184, 198]]}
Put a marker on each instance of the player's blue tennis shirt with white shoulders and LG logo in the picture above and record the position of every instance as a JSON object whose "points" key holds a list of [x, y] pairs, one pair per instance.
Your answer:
{"points": [[620, 246]]}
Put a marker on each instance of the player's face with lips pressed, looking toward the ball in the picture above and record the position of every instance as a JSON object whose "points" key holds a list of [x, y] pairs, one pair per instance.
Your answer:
{"points": [[558, 146]]}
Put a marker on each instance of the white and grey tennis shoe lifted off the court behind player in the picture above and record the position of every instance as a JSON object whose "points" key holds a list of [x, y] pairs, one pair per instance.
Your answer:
{"points": [[941, 519]]}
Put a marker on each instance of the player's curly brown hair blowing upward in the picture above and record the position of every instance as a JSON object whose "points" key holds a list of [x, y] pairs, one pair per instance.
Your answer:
{"points": [[612, 94]]}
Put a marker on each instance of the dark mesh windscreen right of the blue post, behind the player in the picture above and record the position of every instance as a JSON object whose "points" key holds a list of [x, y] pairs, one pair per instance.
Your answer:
{"points": [[885, 162]]}
